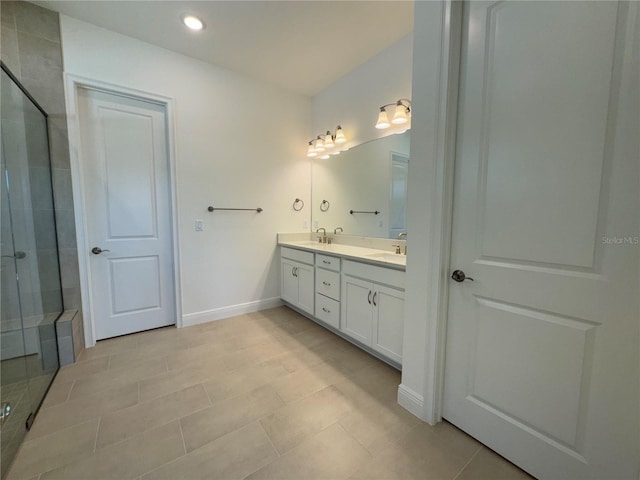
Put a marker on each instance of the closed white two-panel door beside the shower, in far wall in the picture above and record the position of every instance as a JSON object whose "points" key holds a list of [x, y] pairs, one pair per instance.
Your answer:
{"points": [[127, 213]]}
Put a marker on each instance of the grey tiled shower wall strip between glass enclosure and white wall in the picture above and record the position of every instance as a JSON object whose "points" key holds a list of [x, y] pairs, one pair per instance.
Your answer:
{"points": [[30, 47]]}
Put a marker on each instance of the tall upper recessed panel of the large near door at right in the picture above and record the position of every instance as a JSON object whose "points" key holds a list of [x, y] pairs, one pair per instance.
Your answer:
{"points": [[504, 90]]}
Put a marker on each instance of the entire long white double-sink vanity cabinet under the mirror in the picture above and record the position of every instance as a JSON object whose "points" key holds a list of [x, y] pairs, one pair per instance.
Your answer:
{"points": [[360, 300]]}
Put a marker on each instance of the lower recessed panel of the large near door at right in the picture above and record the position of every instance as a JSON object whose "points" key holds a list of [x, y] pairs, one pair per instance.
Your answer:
{"points": [[553, 342]]}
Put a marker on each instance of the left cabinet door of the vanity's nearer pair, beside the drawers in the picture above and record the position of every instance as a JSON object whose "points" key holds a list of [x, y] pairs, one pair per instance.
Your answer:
{"points": [[357, 309]]}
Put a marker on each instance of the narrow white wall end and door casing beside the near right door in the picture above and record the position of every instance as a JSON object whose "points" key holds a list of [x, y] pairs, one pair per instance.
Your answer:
{"points": [[430, 217]]}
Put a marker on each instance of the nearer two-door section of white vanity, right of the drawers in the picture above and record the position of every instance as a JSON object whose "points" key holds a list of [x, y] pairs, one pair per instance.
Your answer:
{"points": [[373, 307]]}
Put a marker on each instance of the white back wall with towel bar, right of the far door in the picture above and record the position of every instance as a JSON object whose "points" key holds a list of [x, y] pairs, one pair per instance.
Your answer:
{"points": [[239, 143]]}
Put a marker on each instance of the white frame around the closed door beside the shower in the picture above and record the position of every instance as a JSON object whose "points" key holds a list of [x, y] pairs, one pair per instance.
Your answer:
{"points": [[73, 84]]}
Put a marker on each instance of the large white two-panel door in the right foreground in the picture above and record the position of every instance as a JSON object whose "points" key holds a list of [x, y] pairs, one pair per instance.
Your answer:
{"points": [[542, 353]]}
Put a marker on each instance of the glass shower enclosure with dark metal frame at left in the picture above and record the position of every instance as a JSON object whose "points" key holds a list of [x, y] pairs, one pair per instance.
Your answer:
{"points": [[31, 297]]}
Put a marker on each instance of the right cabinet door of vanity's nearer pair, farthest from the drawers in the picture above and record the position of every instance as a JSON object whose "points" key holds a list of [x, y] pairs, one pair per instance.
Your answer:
{"points": [[388, 322]]}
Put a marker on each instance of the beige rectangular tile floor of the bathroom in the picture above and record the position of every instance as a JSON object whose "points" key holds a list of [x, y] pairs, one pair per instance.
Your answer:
{"points": [[269, 395]]}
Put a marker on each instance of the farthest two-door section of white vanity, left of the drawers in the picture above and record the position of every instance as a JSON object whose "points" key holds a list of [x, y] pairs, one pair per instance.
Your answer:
{"points": [[297, 278]]}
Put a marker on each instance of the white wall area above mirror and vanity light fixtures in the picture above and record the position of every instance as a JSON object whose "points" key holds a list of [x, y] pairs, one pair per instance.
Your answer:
{"points": [[353, 101]]}
